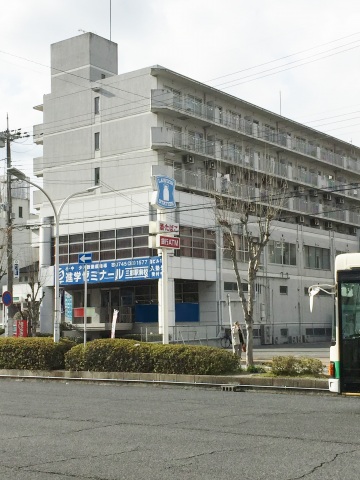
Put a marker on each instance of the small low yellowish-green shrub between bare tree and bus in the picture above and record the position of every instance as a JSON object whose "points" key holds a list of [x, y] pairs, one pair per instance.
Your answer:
{"points": [[292, 366]]}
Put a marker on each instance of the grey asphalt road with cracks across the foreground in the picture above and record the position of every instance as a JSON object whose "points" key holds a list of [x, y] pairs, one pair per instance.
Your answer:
{"points": [[61, 431]]}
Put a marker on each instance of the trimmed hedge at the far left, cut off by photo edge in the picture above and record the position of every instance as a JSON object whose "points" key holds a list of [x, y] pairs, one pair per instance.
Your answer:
{"points": [[33, 353]]}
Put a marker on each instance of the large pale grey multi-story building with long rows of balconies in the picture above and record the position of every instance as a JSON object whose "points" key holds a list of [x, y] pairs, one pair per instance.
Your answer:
{"points": [[115, 131]]}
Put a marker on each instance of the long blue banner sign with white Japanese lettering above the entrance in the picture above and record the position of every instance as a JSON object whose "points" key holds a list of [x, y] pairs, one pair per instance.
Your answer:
{"points": [[145, 268]]}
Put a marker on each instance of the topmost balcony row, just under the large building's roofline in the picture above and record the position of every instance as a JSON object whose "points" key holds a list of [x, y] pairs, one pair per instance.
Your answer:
{"points": [[186, 106]]}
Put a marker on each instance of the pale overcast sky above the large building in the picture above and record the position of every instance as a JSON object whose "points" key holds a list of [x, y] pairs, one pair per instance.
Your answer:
{"points": [[298, 56]]}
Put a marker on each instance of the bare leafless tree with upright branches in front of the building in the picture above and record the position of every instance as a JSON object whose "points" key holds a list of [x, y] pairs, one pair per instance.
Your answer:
{"points": [[245, 212]]}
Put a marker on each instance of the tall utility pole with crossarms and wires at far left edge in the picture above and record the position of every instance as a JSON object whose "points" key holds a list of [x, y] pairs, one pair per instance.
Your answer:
{"points": [[6, 137]]}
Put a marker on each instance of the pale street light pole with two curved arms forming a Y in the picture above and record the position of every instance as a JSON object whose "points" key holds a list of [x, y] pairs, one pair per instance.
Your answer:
{"points": [[57, 213]]}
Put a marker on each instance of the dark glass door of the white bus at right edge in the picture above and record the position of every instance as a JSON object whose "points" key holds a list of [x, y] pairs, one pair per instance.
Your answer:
{"points": [[349, 330]]}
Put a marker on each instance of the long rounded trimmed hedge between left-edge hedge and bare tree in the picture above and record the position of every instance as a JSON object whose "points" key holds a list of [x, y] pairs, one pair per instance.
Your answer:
{"points": [[118, 355]]}
